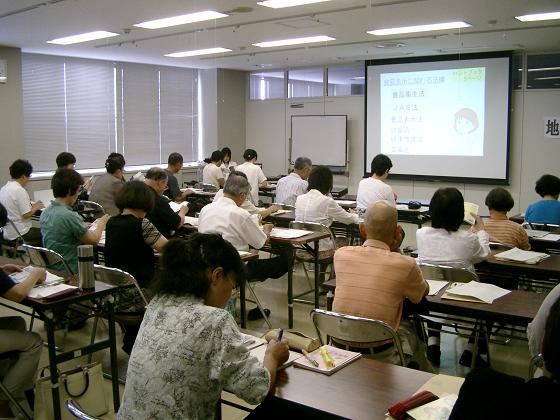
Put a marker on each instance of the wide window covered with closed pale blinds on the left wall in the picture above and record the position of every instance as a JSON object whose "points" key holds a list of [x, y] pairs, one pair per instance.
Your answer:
{"points": [[92, 108]]}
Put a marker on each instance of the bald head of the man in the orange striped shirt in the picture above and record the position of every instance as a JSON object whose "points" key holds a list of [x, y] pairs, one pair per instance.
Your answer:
{"points": [[381, 222]]}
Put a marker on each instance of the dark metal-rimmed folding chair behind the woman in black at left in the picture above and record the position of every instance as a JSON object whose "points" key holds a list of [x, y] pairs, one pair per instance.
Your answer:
{"points": [[132, 299]]}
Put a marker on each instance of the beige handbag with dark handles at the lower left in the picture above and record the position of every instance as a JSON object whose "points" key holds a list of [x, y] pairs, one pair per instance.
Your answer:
{"points": [[83, 384]]}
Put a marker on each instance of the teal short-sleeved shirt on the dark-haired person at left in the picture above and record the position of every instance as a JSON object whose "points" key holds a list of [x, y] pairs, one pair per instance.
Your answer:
{"points": [[62, 231]]}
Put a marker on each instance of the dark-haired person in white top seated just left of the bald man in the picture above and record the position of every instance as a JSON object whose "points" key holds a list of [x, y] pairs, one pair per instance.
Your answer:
{"points": [[317, 205]]}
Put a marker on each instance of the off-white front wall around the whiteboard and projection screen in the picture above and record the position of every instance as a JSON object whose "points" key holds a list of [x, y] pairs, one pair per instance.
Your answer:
{"points": [[531, 155]]}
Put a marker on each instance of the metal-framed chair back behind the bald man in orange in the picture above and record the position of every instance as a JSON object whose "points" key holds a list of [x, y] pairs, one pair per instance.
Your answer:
{"points": [[354, 329]]}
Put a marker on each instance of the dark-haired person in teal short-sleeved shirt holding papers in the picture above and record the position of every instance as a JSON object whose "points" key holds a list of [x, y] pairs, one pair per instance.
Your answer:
{"points": [[63, 230]]}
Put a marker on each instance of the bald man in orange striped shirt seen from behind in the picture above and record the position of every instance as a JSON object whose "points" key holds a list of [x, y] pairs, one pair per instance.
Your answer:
{"points": [[373, 280]]}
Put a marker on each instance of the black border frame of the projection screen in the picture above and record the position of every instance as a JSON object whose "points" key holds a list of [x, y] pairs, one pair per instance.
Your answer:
{"points": [[436, 58]]}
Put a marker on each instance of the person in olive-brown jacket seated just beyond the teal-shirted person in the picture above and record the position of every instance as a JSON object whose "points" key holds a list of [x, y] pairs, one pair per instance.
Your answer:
{"points": [[107, 186]]}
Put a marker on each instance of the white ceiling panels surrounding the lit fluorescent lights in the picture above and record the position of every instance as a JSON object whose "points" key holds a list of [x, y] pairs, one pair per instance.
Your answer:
{"points": [[28, 24]]}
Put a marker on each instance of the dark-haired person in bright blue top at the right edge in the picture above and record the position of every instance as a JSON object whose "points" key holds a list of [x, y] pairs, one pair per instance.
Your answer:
{"points": [[548, 209]]}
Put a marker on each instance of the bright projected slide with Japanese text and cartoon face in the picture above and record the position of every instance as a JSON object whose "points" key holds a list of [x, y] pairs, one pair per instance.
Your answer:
{"points": [[438, 112]]}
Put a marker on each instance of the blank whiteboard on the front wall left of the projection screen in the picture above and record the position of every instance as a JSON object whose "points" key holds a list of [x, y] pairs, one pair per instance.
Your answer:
{"points": [[321, 138]]}
